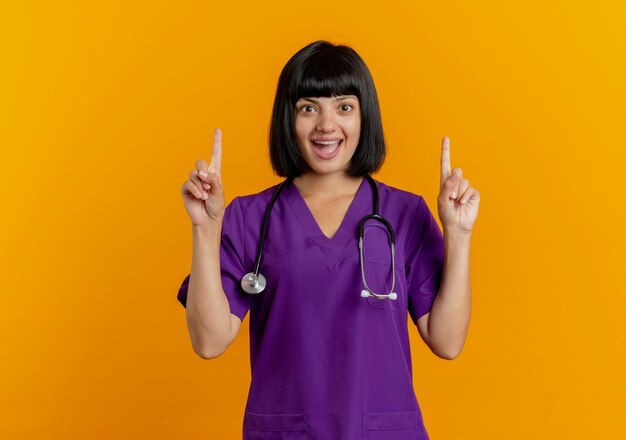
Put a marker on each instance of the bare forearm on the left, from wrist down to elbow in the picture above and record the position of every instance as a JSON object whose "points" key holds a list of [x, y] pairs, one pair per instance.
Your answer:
{"points": [[208, 311]]}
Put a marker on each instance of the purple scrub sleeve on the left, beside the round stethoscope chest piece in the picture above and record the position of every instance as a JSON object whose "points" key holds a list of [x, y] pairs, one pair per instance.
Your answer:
{"points": [[231, 262]]}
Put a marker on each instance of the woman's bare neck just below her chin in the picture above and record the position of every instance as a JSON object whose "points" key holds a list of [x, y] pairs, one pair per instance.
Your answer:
{"points": [[327, 185]]}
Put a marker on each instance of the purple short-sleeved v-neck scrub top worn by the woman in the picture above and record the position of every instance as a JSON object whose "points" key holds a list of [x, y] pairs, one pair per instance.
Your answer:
{"points": [[327, 363]]}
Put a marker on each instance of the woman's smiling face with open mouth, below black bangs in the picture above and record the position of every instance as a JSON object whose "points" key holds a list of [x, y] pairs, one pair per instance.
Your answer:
{"points": [[327, 131]]}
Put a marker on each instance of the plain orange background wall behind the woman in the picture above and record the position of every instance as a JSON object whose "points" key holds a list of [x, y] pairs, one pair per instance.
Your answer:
{"points": [[105, 109]]}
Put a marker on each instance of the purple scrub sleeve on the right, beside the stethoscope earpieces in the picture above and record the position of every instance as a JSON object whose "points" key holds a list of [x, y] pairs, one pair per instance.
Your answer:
{"points": [[423, 260]]}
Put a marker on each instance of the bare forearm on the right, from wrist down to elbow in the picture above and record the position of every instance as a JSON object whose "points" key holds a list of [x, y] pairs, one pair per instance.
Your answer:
{"points": [[448, 323]]}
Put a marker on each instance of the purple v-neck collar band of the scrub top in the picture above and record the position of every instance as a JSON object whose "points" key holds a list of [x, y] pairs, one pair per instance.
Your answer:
{"points": [[347, 229]]}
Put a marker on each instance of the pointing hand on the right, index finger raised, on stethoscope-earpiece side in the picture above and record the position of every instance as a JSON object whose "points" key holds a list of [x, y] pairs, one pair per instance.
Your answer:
{"points": [[457, 202]]}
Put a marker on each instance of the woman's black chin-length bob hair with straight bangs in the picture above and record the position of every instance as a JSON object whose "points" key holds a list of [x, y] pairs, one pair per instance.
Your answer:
{"points": [[323, 69]]}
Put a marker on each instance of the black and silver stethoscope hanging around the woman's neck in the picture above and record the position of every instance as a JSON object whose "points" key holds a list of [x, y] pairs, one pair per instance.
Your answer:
{"points": [[254, 282]]}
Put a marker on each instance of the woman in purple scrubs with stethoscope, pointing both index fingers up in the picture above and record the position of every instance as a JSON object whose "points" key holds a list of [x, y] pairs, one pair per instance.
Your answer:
{"points": [[328, 288]]}
